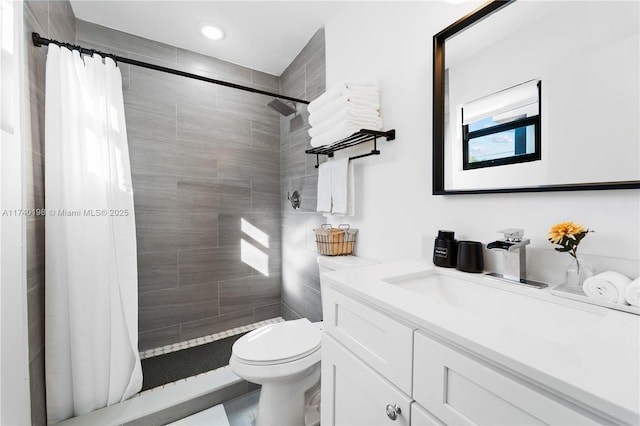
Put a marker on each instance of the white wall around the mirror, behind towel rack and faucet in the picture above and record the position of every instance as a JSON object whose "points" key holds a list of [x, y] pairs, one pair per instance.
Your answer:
{"points": [[391, 42]]}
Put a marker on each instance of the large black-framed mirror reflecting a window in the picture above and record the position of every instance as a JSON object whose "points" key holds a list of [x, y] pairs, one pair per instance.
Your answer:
{"points": [[585, 56]]}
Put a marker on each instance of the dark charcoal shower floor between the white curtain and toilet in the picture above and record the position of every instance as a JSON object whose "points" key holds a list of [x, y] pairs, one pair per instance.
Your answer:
{"points": [[167, 368]]}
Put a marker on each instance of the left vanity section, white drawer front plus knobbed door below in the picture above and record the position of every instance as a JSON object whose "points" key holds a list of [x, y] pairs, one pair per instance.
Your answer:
{"points": [[367, 366]]}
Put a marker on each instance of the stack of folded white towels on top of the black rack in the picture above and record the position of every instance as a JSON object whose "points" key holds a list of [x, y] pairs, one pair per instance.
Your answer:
{"points": [[343, 110]]}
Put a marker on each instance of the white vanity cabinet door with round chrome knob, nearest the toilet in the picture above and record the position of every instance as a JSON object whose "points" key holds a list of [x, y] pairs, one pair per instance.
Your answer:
{"points": [[353, 393]]}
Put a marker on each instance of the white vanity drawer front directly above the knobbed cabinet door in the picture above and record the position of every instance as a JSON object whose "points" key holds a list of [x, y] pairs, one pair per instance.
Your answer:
{"points": [[382, 342]]}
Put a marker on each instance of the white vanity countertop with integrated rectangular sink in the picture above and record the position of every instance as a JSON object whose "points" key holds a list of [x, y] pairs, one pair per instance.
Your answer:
{"points": [[539, 336]]}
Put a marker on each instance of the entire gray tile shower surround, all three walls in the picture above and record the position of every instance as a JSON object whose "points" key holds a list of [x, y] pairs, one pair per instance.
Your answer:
{"points": [[209, 167]]}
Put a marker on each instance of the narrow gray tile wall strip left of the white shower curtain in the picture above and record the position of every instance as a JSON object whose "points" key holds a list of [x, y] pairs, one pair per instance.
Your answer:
{"points": [[52, 19]]}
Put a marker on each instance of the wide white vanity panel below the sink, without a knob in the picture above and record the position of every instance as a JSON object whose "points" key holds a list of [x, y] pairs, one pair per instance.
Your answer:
{"points": [[461, 390]]}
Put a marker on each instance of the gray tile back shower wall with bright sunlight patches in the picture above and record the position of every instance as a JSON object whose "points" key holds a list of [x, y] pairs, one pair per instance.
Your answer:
{"points": [[205, 165]]}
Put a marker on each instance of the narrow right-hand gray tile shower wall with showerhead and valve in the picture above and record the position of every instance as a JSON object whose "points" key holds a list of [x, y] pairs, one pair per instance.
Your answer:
{"points": [[304, 78]]}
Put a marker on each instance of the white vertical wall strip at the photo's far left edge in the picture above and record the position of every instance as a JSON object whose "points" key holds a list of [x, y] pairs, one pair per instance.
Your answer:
{"points": [[14, 354]]}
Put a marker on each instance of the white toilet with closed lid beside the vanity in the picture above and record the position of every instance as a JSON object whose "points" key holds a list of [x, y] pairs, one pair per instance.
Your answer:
{"points": [[285, 359]]}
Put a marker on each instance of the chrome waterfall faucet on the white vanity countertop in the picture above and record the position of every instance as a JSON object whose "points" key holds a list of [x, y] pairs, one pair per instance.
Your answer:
{"points": [[514, 247]]}
